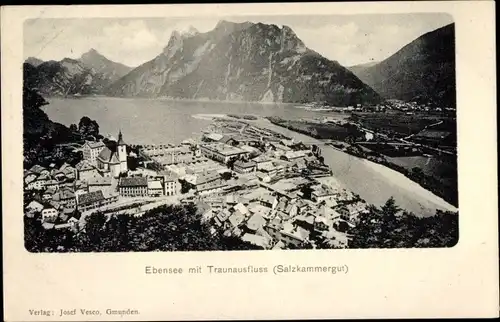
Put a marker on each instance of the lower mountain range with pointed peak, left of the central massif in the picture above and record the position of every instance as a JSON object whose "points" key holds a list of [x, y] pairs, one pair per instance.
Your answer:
{"points": [[88, 75]]}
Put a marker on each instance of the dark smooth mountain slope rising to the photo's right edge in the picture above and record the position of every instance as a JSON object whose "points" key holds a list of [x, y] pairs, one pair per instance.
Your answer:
{"points": [[422, 71]]}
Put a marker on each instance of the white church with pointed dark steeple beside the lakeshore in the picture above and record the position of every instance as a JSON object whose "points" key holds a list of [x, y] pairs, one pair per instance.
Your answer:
{"points": [[113, 157]]}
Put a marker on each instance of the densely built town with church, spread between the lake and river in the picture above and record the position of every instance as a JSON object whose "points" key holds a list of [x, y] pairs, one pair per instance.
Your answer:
{"points": [[245, 181]]}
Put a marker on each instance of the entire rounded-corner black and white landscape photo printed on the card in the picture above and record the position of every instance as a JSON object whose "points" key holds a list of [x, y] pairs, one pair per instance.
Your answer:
{"points": [[271, 132]]}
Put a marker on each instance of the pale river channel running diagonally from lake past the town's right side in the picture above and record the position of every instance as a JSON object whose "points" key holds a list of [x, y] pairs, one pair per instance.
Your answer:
{"points": [[374, 183]]}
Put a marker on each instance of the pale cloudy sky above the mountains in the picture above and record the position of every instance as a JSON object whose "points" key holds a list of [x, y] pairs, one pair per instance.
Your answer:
{"points": [[350, 40]]}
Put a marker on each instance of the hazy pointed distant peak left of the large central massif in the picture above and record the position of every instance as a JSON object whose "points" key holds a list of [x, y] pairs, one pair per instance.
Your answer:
{"points": [[99, 64]]}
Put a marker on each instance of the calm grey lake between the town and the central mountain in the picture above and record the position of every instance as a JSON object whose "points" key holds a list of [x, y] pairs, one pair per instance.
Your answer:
{"points": [[149, 121]]}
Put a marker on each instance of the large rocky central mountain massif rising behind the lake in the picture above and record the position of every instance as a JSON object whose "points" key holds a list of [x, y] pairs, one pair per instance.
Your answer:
{"points": [[243, 62]]}
